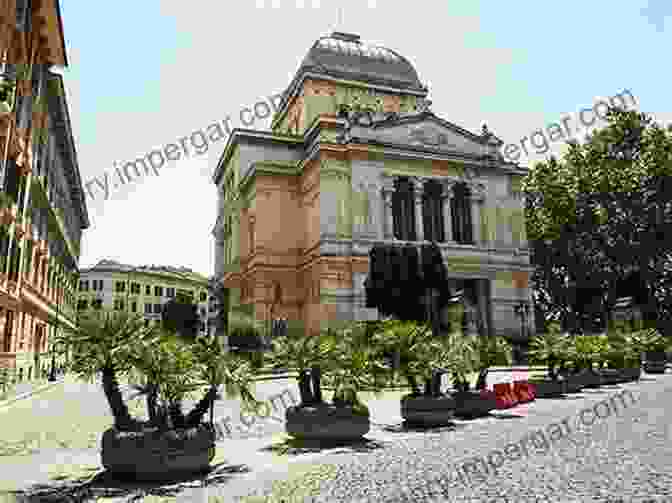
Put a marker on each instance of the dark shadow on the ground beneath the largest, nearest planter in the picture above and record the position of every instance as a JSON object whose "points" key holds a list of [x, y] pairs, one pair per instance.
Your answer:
{"points": [[106, 485]]}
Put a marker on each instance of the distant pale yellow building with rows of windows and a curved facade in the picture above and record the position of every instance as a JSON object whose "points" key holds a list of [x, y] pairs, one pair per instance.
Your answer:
{"points": [[141, 289]]}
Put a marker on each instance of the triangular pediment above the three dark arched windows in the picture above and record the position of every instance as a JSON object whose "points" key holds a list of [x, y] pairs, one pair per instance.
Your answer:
{"points": [[430, 132]]}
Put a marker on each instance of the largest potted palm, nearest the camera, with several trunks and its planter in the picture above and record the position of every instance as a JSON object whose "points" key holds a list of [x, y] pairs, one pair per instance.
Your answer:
{"points": [[168, 369]]}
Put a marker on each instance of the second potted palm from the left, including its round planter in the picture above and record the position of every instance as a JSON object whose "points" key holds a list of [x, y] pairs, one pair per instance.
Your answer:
{"points": [[343, 359]]}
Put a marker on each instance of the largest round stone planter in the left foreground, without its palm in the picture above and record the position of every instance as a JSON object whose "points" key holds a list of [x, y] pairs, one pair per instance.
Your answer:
{"points": [[154, 455]]}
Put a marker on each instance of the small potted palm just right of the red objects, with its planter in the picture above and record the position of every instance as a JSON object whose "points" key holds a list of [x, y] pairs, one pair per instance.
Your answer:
{"points": [[551, 349]]}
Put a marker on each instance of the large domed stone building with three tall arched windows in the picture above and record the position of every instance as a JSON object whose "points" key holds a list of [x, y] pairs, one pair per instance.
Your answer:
{"points": [[355, 156]]}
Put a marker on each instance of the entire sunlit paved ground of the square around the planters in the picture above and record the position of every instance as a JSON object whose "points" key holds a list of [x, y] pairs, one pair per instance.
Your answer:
{"points": [[55, 437]]}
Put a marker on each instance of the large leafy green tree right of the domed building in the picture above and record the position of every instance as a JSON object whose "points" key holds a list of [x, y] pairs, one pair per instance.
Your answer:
{"points": [[596, 221]]}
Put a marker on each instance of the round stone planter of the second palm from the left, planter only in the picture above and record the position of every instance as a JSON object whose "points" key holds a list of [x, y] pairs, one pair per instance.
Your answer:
{"points": [[326, 422]]}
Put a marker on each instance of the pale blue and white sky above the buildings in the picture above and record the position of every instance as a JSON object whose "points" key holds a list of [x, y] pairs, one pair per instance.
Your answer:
{"points": [[144, 74]]}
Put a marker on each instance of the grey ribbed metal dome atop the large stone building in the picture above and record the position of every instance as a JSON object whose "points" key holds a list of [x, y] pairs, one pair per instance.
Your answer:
{"points": [[343, 55]]}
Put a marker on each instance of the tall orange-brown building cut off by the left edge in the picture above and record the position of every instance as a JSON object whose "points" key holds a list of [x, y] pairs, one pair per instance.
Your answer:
{"points": [[42, 206]]}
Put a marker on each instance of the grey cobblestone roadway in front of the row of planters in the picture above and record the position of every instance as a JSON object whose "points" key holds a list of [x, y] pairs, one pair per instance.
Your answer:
{"points": [[625, 455]]}
